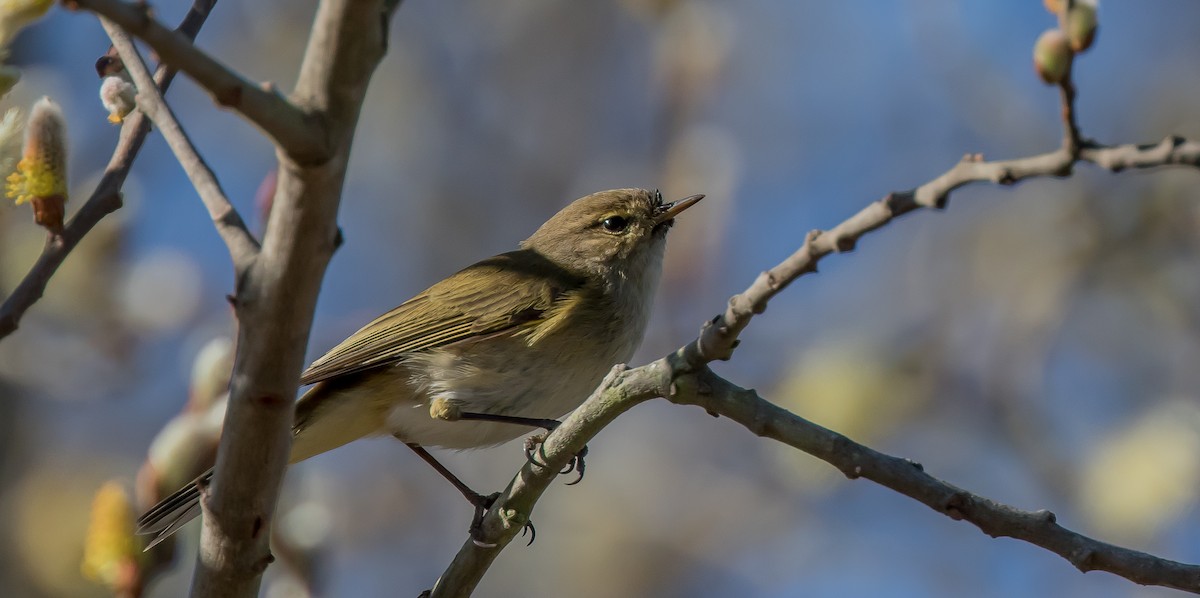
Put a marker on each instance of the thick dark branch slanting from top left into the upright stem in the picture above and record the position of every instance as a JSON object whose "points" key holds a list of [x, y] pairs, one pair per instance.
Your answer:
{"points": [[299, 134]]}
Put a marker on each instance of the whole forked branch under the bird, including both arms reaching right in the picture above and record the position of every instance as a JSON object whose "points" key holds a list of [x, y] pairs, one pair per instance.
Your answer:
{"points": [[685, 378]]}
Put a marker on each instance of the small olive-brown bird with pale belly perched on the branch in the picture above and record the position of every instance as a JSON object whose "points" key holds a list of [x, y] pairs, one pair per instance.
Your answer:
{"points": [[515, 340]]}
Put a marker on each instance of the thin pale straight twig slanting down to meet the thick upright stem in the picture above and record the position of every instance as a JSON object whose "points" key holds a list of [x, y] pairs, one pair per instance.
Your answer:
{"points": [[243, 247]]}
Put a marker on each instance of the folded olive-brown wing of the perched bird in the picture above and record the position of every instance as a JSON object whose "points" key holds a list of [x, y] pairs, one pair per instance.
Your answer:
{"points": [[508, 292]]}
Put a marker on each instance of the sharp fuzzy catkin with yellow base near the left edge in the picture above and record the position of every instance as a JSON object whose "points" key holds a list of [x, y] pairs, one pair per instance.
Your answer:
{"points": [[41, 175]]}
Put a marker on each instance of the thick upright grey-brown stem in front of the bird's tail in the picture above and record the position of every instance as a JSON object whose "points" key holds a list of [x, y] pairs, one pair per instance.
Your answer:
{"points": [[277, 298]]}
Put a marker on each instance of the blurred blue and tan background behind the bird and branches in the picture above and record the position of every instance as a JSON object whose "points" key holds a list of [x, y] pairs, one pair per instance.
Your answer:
{"points": [[1037, 345]]}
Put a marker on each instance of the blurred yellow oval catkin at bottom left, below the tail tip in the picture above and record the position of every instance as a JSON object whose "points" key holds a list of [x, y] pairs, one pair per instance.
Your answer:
{"points": [[110, 551]]}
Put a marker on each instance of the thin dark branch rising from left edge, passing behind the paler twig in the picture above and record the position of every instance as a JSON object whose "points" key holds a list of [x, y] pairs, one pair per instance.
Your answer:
{"points": [[105, 200]]}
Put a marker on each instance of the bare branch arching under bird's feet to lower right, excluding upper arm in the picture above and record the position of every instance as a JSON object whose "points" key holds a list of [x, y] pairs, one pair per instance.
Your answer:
{"points": [[627, 388]]}
